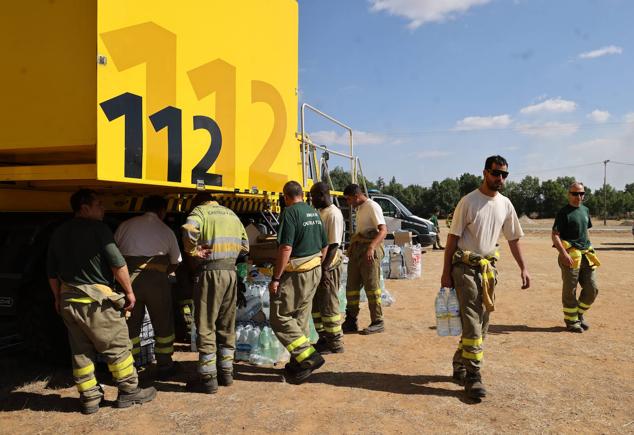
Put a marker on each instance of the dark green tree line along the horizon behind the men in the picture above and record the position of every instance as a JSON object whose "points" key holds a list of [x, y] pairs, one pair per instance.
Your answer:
{"points": [[530, 196]]}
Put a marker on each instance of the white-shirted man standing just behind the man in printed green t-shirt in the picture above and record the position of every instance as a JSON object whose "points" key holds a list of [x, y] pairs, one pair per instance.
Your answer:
{"points": [[326, 315]]}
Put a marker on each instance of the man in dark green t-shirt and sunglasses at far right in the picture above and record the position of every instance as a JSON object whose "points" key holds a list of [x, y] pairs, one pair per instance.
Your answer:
{"points": [[577, 258]]}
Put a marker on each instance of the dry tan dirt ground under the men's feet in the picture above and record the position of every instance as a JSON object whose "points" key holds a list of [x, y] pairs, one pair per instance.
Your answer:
{"points": [[539, 377]]}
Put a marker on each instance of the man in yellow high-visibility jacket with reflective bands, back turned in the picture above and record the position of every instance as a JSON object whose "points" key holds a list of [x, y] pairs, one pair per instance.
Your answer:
{"points": [[214, 237]]}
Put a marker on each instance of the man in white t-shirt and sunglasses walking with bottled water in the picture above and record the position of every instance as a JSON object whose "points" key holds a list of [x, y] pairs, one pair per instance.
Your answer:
{"points": [[469, 266]]}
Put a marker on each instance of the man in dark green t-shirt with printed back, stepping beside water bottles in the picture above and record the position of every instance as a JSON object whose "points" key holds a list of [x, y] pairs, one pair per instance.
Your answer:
{"points": [[297, 272]]}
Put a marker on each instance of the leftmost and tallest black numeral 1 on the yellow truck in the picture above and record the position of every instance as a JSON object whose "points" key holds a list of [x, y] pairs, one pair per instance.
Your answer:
{"points": [[131, 107]]}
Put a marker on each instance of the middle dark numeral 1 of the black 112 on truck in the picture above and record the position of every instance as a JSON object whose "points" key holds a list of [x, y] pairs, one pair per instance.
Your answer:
{"points": [[171, 118]]}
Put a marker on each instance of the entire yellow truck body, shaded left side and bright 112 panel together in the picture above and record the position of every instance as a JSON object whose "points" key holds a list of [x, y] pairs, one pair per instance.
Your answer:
{"points": [[147, 96]]}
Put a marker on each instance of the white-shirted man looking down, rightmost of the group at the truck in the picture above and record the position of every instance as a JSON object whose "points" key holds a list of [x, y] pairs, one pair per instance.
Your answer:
{"points": [[364, 261]]}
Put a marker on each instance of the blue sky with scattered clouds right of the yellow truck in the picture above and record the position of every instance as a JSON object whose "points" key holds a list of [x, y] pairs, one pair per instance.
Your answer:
{"points": [[432, 87]]}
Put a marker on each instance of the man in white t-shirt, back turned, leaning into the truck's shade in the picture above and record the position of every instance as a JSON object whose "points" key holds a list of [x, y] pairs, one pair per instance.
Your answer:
{"points": [[151, 251]]}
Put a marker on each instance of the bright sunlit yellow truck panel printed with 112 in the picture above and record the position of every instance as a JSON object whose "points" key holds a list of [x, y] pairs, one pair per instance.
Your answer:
{"points": [[201, 93]]}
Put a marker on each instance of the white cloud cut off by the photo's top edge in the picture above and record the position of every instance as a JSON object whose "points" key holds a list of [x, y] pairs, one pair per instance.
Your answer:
{"points": [[419, 12]]}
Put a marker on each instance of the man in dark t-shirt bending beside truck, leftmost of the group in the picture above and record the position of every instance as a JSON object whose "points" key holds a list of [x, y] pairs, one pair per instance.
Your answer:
{"points": [[82, 261]]}
